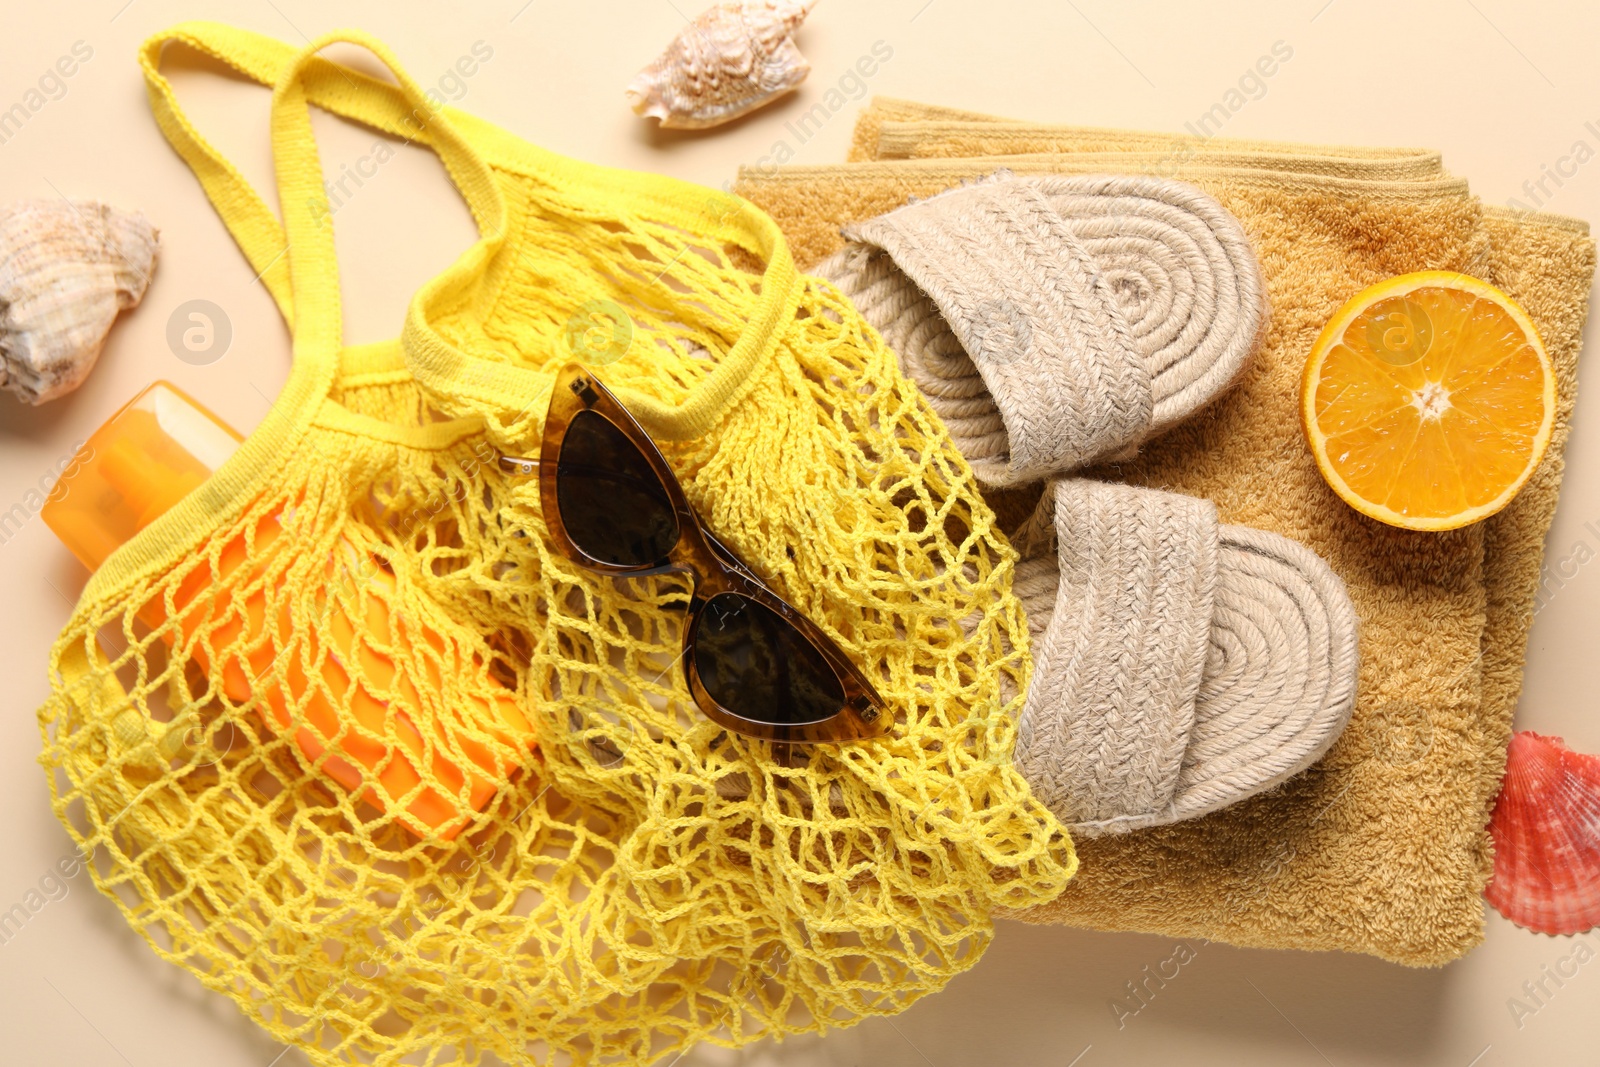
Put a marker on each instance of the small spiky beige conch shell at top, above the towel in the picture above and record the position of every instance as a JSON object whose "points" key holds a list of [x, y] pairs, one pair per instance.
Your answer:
{"points": [[729, 62]]}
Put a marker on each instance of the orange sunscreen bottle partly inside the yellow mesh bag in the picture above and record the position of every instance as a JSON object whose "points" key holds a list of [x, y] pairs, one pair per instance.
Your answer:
{"points": [[159, 449]]}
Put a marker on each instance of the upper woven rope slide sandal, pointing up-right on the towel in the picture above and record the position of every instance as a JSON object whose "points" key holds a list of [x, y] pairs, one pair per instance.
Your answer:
{"points": [[1054, 322]]}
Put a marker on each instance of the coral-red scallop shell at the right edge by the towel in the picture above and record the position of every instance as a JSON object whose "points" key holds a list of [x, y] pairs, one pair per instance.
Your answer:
{"points": [[1546, 829]]}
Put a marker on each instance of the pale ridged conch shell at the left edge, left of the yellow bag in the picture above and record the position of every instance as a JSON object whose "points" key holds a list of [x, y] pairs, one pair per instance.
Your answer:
{"points": [[66, 270]]}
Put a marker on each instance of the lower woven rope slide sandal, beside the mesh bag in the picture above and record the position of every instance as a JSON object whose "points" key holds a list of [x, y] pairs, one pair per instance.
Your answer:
{"points": [[1180, 665]]}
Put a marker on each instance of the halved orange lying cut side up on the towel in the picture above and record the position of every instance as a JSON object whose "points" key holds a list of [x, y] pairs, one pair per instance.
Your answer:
{"points": [[1428, 401]]}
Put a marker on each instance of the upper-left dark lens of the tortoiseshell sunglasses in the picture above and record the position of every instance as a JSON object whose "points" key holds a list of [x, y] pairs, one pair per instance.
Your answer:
{"points": [[612, 503]]}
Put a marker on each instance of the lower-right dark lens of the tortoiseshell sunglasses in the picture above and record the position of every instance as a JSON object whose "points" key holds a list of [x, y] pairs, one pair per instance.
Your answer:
{"points": [[759, 668]]}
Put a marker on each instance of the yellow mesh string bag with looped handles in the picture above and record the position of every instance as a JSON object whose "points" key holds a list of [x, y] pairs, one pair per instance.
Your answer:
{"points": [[638, 881]]}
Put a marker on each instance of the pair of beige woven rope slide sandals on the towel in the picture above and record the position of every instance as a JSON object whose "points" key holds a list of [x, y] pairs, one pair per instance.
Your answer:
{"points": [[1180, 665]]}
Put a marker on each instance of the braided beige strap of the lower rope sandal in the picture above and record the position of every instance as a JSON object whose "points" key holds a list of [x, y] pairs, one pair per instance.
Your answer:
{"points": [[1116, 676]]}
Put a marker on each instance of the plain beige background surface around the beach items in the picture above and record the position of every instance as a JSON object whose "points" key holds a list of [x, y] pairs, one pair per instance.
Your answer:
{"points": [[1503, 89]]}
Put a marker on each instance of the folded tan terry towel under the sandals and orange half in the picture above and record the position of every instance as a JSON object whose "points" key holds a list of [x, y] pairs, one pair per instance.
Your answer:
{"points": [[1382, 847]]}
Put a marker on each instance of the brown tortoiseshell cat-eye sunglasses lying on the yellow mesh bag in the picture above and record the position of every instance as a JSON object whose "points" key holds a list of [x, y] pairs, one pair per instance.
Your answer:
{"points": [[754, 663]]}
